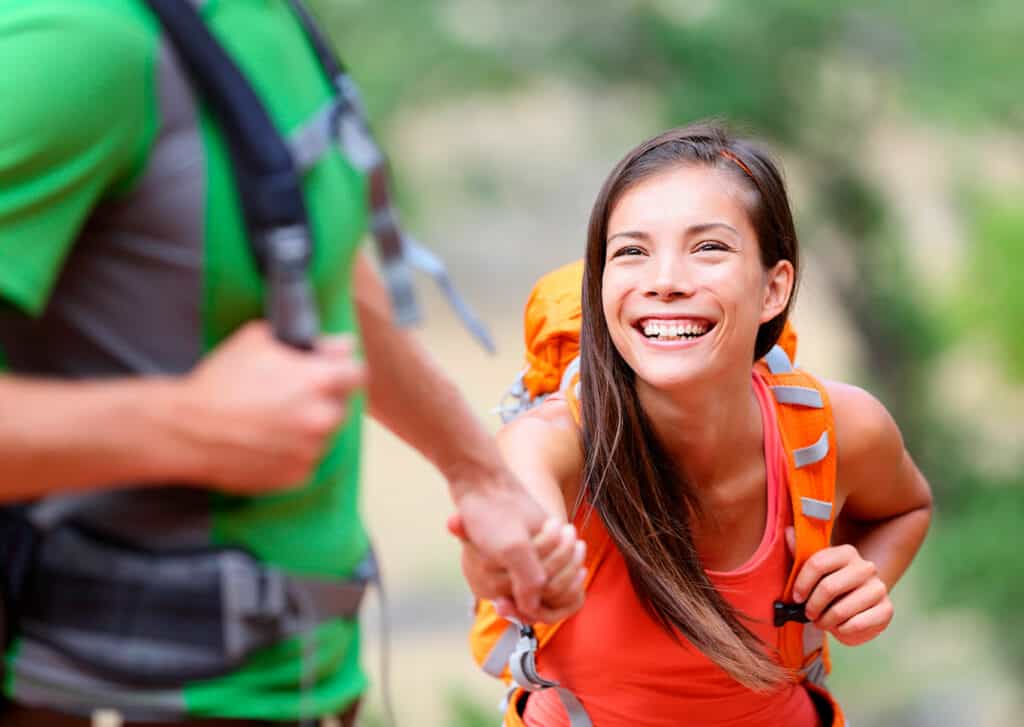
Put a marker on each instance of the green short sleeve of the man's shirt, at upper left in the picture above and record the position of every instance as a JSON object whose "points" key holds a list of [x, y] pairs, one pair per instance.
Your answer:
{"points": [[77, 116]]}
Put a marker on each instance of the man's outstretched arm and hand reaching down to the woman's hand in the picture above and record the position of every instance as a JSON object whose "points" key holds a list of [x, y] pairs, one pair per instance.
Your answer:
{"points": [[411, 396]]}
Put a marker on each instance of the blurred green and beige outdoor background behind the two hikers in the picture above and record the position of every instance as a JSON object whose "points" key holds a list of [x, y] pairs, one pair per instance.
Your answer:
{"points": [[899, 126]]}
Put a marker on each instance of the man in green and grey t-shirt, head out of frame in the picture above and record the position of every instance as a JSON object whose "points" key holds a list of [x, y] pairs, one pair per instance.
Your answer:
{"points": [[144, 408]]}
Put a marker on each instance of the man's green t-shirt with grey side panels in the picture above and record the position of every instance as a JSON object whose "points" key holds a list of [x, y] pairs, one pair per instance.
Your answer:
{"points": [[123, 250]]}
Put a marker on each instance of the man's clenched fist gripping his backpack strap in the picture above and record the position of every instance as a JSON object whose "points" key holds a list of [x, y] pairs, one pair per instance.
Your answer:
{"points": [[260, 414]]}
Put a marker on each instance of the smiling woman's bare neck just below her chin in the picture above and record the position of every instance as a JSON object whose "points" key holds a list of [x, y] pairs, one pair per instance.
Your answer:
{"points": [[707, 430]]}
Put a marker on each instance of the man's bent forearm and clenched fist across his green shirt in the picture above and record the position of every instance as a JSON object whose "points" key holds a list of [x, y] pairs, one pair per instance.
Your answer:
{"points": [[253, 417]]}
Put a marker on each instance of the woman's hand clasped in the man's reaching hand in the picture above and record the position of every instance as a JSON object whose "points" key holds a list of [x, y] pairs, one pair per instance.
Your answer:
{"points": [[563, 557]]}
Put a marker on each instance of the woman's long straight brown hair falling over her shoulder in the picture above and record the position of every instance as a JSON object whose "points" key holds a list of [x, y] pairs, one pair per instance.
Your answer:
{"points": [[642, 496]]}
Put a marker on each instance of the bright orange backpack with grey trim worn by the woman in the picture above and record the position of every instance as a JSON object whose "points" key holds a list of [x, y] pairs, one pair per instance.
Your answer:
{"points": [[514, 652]]}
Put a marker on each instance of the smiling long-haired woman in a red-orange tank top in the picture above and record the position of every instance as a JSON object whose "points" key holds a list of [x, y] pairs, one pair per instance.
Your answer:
{"points": [[675, 456]]}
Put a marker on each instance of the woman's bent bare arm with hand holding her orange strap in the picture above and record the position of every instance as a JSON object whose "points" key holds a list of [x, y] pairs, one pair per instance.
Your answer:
{"points": [[885, 509]]}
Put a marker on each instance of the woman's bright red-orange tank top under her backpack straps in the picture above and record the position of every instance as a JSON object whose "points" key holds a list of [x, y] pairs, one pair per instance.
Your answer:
{"points": [[629, 673]]}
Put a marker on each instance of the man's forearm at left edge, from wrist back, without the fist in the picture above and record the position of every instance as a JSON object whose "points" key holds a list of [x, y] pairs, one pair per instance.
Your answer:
{"points": [[61, 437]]}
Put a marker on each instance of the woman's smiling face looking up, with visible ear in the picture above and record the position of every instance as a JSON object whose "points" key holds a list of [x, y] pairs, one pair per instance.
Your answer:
{"points": [[685, 290]]}
